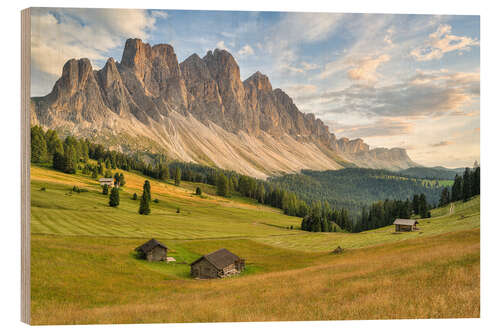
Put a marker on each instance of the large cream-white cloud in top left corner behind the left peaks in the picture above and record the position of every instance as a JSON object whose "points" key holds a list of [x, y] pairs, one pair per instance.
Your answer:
{"points": [[61, 34]]}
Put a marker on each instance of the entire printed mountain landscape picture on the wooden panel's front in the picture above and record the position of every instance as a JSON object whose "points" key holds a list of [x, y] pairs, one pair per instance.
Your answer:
{"points": [[236, 166]]}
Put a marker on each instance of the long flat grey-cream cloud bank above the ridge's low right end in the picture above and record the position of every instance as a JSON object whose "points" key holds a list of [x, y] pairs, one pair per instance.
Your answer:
{"points": [[424, 94]]}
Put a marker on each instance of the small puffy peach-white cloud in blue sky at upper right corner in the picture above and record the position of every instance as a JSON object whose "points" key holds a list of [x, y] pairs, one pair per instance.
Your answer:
{"points": [[441, 42]]}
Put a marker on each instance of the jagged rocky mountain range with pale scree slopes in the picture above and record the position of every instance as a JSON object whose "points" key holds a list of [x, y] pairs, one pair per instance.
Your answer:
{"points": [[198, 111]]}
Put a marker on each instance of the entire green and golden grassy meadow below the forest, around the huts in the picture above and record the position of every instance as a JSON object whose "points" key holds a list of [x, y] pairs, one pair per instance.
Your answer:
{"points": [[84, 269]]}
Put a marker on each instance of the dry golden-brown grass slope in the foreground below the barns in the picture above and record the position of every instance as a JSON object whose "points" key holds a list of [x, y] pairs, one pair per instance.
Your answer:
{"points": [[432, 277]]}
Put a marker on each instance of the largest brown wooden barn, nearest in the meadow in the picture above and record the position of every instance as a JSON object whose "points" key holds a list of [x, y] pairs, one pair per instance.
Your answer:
{"points": [[218, 264]]}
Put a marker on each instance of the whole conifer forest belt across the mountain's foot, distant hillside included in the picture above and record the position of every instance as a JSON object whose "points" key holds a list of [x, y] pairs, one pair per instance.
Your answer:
{"points": [[350, 199]]}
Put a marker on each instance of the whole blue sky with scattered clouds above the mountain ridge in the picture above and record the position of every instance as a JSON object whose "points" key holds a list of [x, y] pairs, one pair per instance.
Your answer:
{"points": [[409, 81]]}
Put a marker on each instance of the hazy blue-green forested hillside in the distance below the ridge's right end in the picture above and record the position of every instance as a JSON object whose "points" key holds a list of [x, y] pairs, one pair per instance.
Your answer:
{"points": [[354, 188]]}
